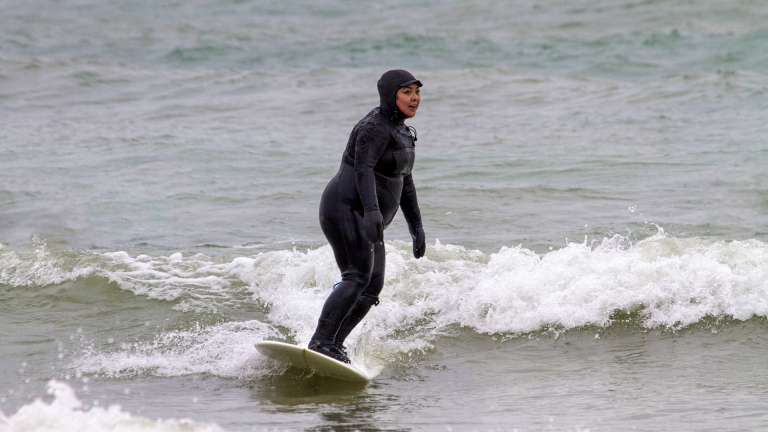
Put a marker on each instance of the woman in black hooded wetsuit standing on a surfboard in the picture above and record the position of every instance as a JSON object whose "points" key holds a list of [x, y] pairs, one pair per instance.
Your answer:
{"points": [[360, 202]]}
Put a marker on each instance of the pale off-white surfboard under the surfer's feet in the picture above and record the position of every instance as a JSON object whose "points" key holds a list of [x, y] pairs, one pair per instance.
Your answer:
{"points": [[303, 358]]}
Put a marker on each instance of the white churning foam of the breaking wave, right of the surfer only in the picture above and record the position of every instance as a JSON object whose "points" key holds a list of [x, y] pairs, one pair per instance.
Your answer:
{"points": [[672, 282]]}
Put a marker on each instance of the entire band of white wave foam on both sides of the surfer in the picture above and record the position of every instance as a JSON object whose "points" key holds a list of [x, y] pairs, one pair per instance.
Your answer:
{"points": [[668, 282]]}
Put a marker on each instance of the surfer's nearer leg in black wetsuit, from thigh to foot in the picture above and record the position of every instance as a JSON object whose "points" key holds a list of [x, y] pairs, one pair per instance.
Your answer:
{"points": [[355, 257]]}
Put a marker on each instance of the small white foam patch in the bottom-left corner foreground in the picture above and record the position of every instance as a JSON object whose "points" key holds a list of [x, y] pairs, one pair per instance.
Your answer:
{"points": [[66, 413]]}
